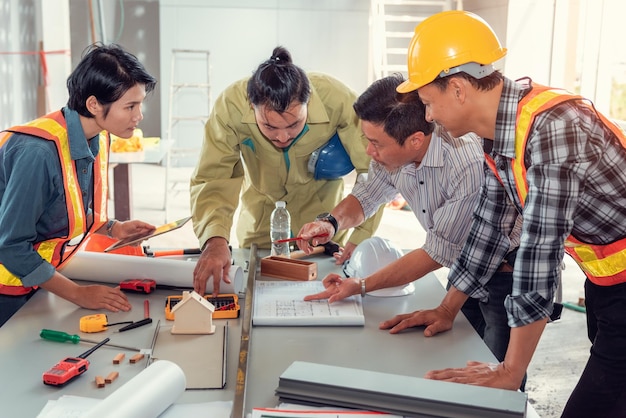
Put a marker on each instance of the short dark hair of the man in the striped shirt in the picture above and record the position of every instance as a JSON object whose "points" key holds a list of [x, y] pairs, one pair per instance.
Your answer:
{"points": [[401, 115]]}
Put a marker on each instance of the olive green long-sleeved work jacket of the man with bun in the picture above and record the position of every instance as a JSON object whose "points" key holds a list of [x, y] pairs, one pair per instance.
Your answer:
{"points": [[238, 161]]}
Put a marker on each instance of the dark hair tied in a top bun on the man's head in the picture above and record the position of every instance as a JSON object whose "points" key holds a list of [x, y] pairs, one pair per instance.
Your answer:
{"points": [[277, 82]]}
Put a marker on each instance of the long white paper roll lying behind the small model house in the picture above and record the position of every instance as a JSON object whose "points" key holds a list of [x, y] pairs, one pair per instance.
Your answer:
{"points": [[170, 271]]}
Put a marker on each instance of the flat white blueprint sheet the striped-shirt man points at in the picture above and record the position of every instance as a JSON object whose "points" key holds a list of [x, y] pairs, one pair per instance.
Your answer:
{"points": [[280, 303]]}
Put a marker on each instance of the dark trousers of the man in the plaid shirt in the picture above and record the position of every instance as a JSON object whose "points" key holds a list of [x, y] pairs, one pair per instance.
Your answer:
{"points": [[601, 389]]}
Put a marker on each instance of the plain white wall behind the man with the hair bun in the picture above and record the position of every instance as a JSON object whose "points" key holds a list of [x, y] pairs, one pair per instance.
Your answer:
{"points": [[324, 35]]}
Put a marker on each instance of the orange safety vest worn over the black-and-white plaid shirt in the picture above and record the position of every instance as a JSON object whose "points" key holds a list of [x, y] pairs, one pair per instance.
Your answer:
{"points": [[604, 265]]}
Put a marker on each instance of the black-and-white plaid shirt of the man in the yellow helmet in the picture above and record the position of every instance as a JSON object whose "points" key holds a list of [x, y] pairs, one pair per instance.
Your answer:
{"points": [[576, 185]]}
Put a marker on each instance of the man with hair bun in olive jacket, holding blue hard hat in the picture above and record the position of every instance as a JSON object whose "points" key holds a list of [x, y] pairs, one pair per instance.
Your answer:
{"points": [[281, 134]]}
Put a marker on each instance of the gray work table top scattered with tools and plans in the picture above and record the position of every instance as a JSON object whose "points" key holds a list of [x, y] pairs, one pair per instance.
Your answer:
{"points": [[24, 356]]}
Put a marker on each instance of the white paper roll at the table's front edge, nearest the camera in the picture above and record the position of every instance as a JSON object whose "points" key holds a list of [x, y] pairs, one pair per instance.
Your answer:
{"points": [[146, 395]]}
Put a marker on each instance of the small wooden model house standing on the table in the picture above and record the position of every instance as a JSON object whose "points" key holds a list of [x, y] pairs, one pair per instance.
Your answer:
{"points": [[193, 315]]}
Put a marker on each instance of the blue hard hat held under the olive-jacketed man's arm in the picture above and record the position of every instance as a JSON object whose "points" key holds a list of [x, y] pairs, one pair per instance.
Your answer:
{"points": [[330, 161]]}
